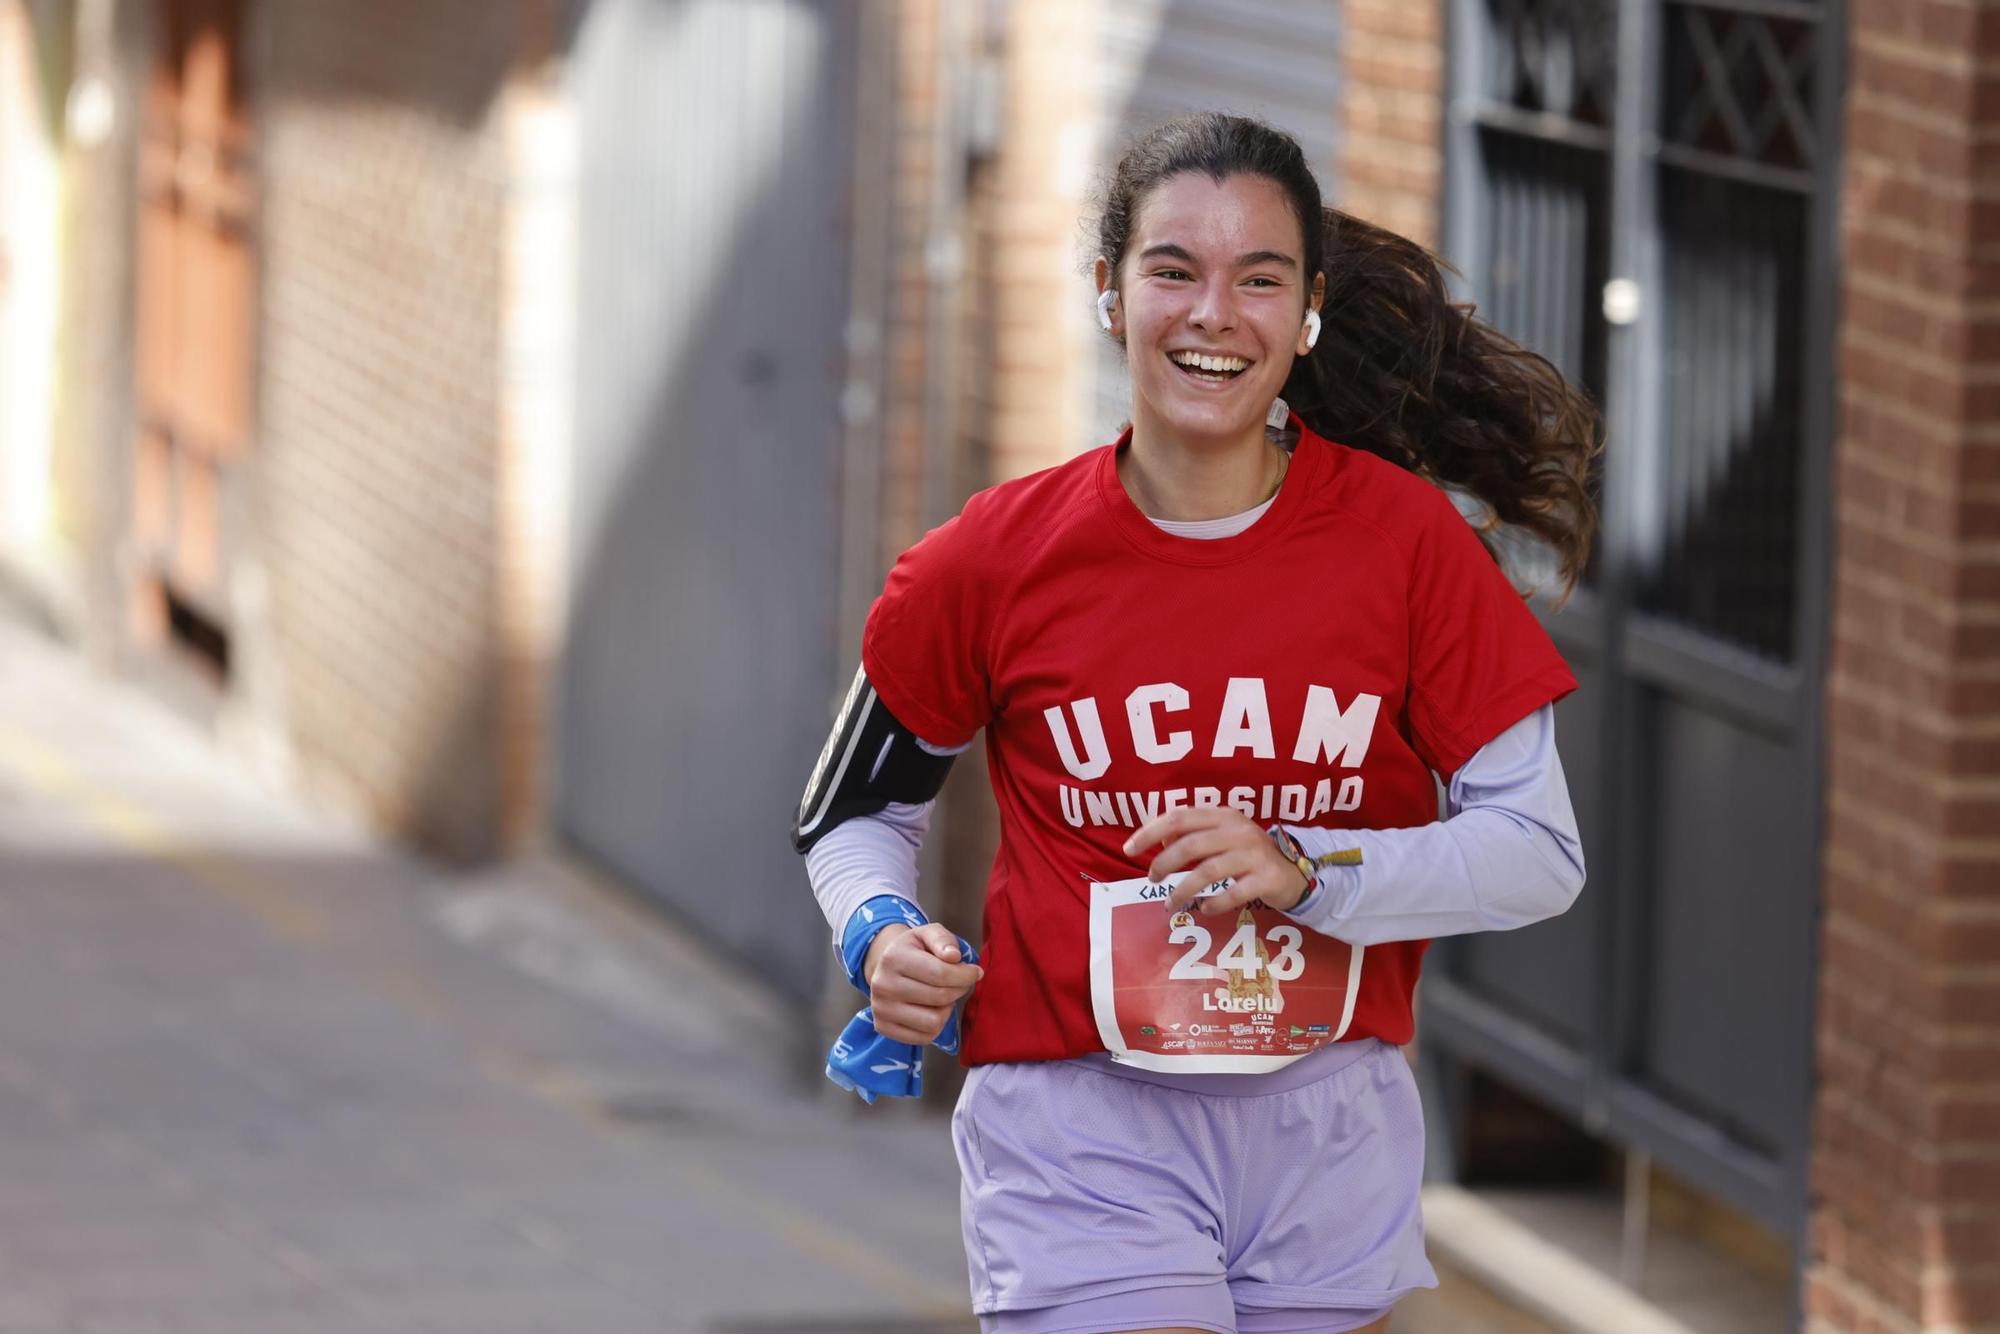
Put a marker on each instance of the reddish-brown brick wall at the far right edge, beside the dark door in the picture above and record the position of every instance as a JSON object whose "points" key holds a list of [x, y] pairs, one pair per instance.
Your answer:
{"points": [[1907, 1133]]}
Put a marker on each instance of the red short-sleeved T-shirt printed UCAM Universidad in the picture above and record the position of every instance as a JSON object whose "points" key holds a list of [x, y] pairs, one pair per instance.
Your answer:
{"points": [[1313, 669]]}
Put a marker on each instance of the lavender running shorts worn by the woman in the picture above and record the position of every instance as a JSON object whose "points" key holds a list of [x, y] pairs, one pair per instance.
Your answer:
{"points": [[1099, 1197]]}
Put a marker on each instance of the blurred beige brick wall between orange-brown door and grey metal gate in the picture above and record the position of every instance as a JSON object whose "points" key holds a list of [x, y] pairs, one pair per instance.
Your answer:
{"points": [[383, 205]]}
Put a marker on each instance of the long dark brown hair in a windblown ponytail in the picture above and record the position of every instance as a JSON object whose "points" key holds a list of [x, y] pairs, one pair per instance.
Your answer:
{"points": [[1401, 369]]}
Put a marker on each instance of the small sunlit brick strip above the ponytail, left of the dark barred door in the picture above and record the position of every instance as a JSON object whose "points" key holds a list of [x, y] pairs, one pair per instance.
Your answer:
{"points": [[1393, 115]]}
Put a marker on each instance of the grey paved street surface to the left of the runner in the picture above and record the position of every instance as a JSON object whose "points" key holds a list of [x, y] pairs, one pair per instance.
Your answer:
{"points": [[261, 1075]]}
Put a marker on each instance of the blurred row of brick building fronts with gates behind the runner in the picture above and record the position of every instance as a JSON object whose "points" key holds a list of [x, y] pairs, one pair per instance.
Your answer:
{"points": [[493, 419]]}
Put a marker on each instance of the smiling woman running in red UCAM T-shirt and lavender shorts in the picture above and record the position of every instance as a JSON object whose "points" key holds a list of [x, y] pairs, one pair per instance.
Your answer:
{"points": [[1219, 665]]}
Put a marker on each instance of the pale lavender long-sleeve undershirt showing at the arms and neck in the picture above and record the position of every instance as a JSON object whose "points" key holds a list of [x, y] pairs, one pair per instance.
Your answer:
{"points": [[1507, 853]]}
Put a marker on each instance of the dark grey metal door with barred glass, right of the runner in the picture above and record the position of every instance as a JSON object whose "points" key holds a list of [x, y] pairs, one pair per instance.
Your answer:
{"points": [[1645, 193]]}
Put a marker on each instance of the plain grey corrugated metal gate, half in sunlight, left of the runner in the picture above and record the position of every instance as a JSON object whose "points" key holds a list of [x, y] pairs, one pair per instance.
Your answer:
{"points": [[715, 143]]}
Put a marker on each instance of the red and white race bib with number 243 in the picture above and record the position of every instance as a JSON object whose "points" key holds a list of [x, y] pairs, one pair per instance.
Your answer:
{"points": [[1237, 993]]}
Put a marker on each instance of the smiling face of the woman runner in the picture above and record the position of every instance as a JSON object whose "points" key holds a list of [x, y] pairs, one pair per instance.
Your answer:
{"points": [[1213, 271]]}
